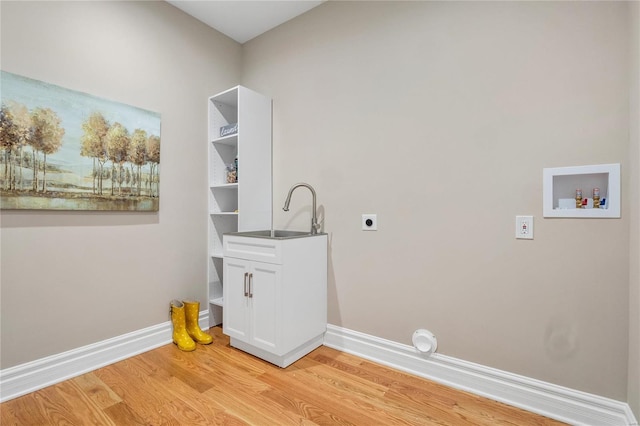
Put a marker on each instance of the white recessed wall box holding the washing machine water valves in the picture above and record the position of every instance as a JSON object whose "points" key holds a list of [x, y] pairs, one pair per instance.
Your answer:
{"points": [[562, 182]]}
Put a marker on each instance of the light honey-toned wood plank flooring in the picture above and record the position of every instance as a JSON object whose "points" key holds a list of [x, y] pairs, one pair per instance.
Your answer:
{"points": [[220, 385]]}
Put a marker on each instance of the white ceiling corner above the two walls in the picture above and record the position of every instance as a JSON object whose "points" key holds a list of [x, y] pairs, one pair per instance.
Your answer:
{"points": [[243, 20]]}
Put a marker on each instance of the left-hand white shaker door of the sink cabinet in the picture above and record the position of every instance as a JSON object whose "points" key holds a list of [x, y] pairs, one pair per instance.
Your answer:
{"points": [[235, 314]]}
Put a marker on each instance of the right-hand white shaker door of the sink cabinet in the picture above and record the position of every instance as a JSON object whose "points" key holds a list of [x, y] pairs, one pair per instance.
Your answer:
{"points": [[265, 306]]}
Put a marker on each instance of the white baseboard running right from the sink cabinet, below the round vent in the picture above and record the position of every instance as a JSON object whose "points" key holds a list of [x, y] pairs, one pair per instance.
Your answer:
{"points": [[557, 402]]}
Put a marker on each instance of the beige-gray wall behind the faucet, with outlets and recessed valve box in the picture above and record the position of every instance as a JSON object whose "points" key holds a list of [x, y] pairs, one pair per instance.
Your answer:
{"points": [[439, 117]]}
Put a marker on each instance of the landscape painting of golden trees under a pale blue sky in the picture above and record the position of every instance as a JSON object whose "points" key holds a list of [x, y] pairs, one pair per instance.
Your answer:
{"points": [[65, 150]]}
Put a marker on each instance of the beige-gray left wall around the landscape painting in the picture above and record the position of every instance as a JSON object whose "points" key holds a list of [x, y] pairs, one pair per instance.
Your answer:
{"points": [[71, 278]]}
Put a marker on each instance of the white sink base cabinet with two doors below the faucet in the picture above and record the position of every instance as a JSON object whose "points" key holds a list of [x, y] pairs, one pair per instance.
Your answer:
{"points": [[275, 295]]}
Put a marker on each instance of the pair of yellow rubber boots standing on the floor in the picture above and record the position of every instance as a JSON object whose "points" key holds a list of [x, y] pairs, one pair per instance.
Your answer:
{"points": [[186, 331]]}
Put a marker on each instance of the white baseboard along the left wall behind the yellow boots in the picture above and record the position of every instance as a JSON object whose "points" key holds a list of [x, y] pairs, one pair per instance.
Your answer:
{"points": [[25, 378]]}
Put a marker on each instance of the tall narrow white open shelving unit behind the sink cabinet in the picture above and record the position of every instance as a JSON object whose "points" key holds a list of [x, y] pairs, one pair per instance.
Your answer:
{"points": [[245, 205]]}
